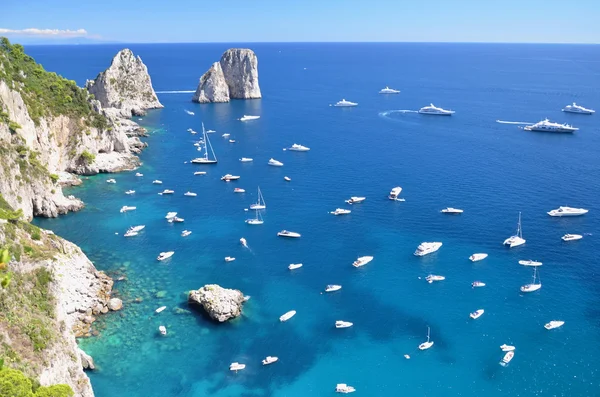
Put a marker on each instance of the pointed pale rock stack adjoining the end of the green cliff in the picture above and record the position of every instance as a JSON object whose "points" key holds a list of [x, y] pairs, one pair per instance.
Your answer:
{"points": [[125, 85]]}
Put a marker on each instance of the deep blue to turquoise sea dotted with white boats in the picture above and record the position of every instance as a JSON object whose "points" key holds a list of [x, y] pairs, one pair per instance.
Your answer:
{"points": [[493, 171]]}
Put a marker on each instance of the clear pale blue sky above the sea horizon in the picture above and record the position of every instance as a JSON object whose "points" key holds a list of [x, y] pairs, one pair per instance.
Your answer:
{"points": [[160, 21]]}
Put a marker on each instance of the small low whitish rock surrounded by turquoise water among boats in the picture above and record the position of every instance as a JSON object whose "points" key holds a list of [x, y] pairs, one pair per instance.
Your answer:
{"points": [[220, 304]]}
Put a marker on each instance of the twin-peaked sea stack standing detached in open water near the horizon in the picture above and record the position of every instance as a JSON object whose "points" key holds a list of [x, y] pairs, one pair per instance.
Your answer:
{"points": [[234, 76]]}
